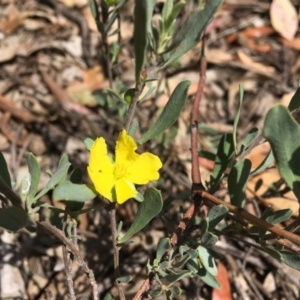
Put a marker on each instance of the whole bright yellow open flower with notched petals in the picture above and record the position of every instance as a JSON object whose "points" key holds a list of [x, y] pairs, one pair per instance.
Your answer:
{"points": [[115, 180]]}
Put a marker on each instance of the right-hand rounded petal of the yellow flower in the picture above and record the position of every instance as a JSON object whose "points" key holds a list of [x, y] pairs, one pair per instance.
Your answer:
{"points": [[144, 169]]}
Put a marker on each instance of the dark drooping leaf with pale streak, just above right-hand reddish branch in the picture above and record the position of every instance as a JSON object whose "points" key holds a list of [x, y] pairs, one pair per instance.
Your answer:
{"points": [[237, 182]]}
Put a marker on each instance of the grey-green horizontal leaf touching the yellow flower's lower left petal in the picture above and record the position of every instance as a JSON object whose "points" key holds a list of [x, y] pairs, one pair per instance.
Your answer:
{"points": [[74, 192]]}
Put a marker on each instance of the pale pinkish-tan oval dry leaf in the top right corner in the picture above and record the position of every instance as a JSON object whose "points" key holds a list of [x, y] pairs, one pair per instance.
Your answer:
{"points": [[284, 18]]}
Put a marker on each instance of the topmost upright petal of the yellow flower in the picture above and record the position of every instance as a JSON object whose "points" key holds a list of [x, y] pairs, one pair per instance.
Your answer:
{"points": [[125, 148]]}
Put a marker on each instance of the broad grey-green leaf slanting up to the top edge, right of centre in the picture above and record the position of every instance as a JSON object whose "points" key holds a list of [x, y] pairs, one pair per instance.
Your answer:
{"points": [[191, 31]]}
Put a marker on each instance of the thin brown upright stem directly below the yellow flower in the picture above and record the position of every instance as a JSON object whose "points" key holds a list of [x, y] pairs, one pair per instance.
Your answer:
{"points": [[113, 225]]}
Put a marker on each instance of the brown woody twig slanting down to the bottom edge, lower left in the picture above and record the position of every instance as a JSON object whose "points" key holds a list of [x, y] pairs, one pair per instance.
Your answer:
{"points": [[61, 236]]}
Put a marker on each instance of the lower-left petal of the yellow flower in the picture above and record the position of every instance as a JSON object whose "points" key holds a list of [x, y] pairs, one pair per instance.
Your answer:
{"points": [[103, 183]]}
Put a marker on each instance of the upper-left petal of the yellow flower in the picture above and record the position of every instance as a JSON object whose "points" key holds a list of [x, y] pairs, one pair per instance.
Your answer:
{"points": [[99, 160]]}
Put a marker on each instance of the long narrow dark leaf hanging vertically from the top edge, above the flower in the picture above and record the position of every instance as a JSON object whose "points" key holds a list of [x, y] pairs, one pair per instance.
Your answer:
{"points": [[143, 12]]}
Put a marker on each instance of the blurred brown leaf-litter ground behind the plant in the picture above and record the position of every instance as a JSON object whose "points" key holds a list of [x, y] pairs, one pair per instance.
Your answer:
{"points": [[52, 77]]}
